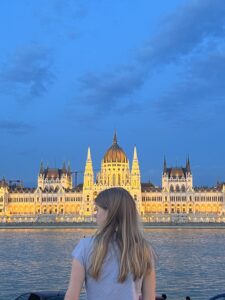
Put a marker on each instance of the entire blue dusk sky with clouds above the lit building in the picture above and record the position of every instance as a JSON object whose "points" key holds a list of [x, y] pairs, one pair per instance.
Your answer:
{"points": [[71, 72]]}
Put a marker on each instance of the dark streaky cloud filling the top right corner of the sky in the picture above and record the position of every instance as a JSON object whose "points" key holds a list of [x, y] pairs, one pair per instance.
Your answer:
{"points": [[181, 32]]}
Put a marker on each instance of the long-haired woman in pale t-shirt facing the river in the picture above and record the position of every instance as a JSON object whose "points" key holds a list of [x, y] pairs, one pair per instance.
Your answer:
{"points": [[117, 263]]}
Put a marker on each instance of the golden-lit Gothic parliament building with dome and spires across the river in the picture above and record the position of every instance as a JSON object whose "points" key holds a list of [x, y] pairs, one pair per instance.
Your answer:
{"points": [[55, 199]]}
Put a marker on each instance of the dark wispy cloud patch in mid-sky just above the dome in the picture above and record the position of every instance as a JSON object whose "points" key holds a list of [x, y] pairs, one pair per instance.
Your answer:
{"points": [[103, 92]]}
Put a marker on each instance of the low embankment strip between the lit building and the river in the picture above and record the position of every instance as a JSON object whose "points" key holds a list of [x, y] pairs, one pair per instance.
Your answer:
{"points": [[83, 225]]}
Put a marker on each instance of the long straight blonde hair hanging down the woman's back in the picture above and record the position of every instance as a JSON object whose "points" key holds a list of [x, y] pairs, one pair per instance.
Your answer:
{"points": [[122, 224]]}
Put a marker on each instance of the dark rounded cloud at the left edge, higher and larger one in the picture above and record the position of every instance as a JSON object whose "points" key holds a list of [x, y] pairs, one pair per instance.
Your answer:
{"points": [[28, 73]]}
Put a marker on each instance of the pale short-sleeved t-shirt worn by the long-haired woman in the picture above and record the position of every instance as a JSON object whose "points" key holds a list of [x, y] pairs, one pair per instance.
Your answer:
{"points": [[107, 286]]}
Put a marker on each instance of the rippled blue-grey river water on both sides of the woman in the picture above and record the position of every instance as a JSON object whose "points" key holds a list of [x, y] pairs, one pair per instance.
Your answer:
{"points": [[190, 261]]}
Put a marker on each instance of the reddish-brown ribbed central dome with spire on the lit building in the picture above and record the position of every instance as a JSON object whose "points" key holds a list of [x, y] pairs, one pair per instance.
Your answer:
{"points": [[115, 153]]}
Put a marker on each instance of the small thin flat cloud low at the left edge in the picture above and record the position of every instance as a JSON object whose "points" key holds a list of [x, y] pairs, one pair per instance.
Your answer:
{"points": [[15, 127]]}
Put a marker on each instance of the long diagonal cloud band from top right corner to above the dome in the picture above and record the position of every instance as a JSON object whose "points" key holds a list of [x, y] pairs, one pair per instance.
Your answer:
{"points": [[181, 35]]}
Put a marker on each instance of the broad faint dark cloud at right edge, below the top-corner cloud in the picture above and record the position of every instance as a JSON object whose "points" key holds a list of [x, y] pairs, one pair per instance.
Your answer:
{"points": [[202, 89]]}
